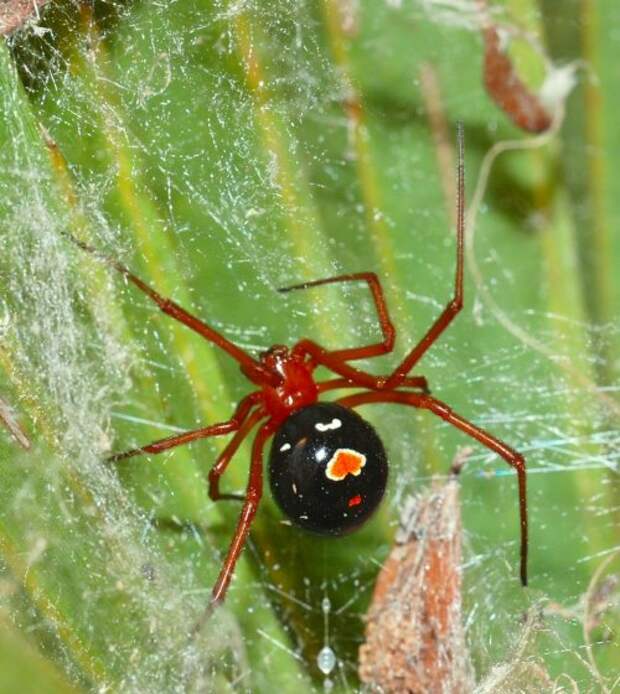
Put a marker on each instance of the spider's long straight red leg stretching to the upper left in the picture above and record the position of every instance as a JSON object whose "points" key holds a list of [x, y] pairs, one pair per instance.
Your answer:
{"points": [[253, 369]]}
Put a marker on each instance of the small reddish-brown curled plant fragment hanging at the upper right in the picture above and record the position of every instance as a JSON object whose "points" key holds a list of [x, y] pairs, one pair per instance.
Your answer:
{"points": [[503, 85]]}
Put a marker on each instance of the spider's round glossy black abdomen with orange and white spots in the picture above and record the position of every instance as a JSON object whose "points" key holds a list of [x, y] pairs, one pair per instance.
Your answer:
{"points": [[327, 468]]}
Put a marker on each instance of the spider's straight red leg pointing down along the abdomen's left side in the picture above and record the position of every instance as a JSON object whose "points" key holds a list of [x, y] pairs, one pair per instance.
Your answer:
{"points": [[253, 496]]}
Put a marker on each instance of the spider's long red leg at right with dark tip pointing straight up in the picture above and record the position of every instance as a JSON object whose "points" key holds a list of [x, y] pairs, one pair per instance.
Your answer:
{"points": [[333, 360]]}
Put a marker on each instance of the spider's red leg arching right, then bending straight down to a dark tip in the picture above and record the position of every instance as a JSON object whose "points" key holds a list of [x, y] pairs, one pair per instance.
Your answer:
{"points": [[442, 410]]}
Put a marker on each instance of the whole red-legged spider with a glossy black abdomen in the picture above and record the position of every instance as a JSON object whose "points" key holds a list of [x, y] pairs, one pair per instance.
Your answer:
{"points": [[328, 468]]}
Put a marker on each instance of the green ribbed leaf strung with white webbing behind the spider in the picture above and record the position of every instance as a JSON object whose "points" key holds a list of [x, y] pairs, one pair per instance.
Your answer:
{"points": [[224, 149]]}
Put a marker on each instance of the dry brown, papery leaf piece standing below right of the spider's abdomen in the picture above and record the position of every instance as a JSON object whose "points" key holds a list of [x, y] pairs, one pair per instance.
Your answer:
{"points": [[415, 640]]}
